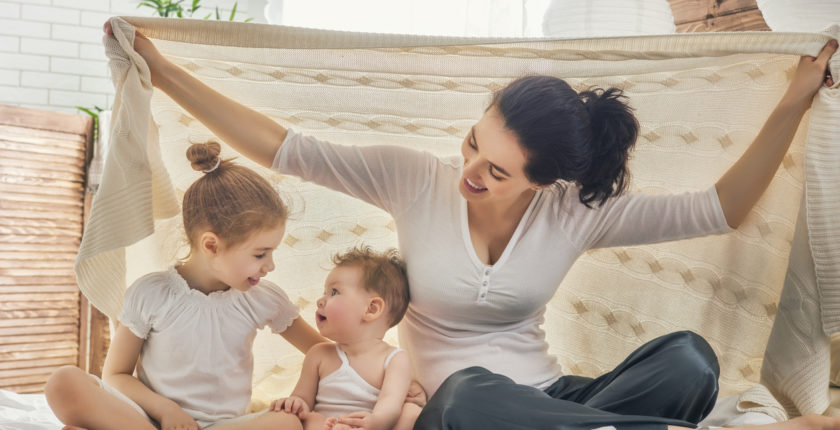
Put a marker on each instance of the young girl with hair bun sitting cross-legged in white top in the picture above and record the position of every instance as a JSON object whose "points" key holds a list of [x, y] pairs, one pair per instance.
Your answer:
{"points": [[189, 330]]}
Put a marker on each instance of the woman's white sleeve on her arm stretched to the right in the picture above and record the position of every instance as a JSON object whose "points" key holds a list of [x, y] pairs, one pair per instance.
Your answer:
{"points": [[635, 219]]}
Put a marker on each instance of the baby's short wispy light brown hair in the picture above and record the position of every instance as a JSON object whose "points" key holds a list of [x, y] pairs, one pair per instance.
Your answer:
{"points": [[383, 273]]}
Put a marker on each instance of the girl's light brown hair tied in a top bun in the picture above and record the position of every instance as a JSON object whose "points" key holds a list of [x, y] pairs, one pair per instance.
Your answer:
{"points": [[230, 200]]}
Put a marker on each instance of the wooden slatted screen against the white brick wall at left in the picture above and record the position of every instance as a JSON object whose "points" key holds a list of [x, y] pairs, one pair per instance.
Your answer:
{"points": [[42, 173]]}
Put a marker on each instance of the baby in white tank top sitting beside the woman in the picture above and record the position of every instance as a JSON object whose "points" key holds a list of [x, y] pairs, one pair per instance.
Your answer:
{"points": [[360, 381]]}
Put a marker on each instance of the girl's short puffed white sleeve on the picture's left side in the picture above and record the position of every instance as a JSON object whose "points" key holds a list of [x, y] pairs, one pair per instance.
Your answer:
{"points": [[142, 301]]}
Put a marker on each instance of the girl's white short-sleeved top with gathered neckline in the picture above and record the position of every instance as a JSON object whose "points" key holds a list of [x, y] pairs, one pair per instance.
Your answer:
{"points": [[197, 348]]}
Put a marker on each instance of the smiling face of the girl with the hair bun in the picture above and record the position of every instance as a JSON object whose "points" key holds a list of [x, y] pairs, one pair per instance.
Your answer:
{"points": [[241, 266]]}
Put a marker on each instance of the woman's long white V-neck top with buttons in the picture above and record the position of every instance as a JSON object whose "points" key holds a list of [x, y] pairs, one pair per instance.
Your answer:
{"points": [[466, 313]]}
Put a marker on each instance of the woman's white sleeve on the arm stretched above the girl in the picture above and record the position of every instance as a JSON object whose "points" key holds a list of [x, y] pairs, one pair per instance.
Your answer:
{"points": [[389, 177]]}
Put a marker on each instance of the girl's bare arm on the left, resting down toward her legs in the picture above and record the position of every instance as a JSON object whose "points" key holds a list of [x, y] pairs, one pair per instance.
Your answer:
{"points": [[118, 372]]}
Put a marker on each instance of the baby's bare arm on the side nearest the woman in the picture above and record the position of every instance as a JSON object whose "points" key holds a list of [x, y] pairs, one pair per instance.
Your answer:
{"points": [[389, 405]]}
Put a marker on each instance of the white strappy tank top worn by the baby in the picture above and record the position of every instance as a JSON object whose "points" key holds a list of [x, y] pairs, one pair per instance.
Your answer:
{"points": [[345, 391]]}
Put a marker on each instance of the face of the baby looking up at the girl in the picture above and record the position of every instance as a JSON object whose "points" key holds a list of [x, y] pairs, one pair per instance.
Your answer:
{"points": [[343, 305]]}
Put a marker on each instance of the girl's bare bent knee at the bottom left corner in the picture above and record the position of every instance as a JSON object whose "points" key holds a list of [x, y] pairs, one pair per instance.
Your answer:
{"points": [[78, 401]]}
